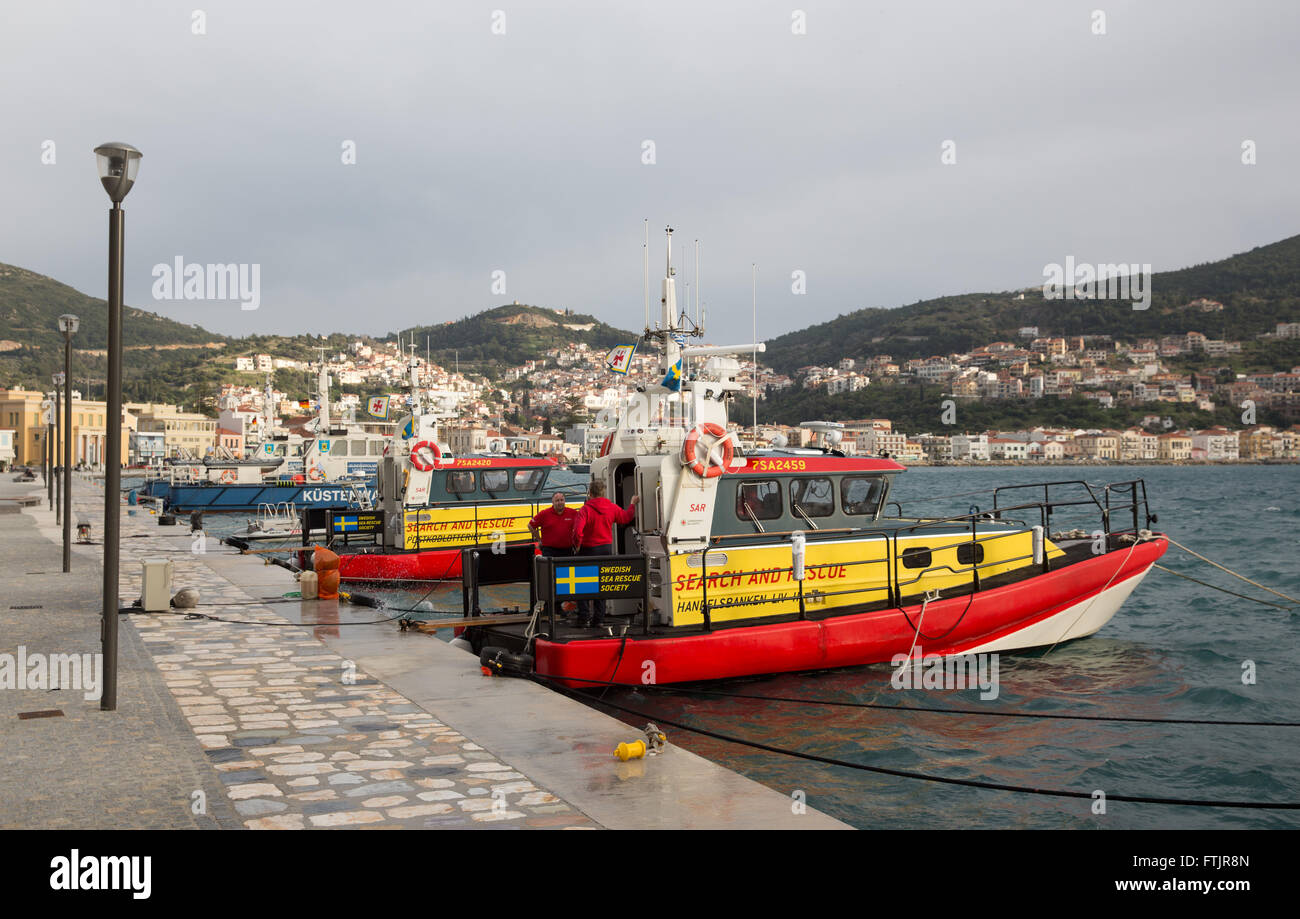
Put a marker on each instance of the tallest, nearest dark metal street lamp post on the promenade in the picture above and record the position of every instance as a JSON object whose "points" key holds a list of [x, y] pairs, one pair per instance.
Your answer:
{"points": [[118, 164]]}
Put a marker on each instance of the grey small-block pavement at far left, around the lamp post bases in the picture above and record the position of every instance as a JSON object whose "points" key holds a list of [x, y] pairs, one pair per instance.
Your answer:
{"points": [[138, 768]]}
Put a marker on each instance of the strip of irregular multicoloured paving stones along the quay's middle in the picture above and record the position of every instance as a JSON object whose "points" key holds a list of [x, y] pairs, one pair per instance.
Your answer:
{"points": [[297, 736]]}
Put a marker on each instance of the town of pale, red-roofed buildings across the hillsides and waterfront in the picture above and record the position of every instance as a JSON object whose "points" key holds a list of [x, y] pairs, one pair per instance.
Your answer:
{"points": [[562, 406]]}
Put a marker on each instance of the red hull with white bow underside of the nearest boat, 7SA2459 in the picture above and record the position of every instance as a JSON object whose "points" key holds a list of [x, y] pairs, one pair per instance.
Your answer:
{"points": [[1056, 606]]}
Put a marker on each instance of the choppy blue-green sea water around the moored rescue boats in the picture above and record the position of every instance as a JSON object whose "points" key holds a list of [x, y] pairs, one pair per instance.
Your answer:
{"points": [[1175, 651]]}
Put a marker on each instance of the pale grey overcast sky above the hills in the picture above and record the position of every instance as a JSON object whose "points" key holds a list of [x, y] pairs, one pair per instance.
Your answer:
{"points": [[523, 151]]}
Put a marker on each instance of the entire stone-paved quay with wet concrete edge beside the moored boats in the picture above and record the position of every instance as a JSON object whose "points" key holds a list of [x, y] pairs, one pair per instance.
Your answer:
{"points": [[297, 714]]}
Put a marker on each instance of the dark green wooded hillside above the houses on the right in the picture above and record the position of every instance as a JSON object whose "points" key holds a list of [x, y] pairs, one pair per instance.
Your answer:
{"points": [[1258, 289]]}
